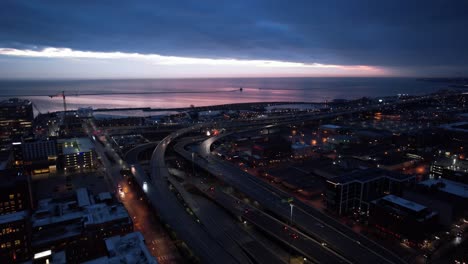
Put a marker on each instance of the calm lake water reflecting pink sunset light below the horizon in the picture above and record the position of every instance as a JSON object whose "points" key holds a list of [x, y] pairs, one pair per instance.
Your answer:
{"points": [[171, 93]]}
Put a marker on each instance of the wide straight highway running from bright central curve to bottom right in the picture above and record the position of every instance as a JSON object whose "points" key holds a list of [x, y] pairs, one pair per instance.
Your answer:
{"points": [[343, 240]]}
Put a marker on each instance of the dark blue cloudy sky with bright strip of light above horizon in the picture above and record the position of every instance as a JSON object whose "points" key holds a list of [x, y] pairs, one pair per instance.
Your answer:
{"points": [[244, 38]]}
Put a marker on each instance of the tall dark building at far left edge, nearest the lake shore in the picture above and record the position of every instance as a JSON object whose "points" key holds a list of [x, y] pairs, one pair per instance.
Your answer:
{"points": [[16, 117]]}
